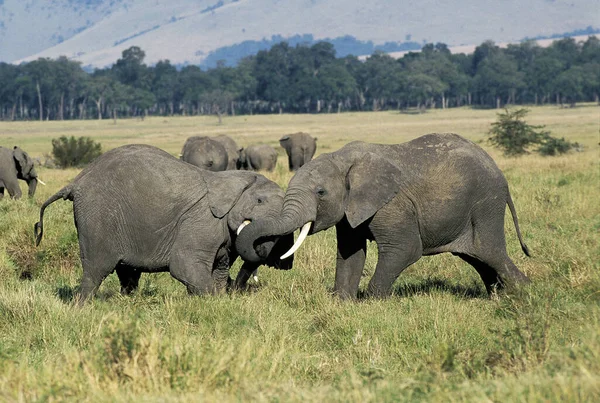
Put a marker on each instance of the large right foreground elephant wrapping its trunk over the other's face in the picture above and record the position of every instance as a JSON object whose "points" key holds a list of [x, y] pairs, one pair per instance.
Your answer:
{"points": [[437, 193]]}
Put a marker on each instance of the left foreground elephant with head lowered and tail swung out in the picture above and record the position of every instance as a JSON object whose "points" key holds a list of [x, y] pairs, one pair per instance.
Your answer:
{"points": [[138, 209]]}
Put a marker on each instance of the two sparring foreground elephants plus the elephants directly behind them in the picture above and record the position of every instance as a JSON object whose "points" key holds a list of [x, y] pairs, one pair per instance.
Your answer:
{"points": [[138, 209]]}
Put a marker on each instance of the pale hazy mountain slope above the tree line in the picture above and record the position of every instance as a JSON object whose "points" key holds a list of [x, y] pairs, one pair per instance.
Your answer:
{"points": [[95, 32]]}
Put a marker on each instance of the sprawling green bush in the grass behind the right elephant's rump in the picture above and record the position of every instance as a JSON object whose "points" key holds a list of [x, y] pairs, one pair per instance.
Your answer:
{"points": [[515, 137]]}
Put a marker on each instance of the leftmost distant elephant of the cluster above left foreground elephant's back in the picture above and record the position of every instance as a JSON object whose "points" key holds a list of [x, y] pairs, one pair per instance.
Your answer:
{"points": [[206, 153]]}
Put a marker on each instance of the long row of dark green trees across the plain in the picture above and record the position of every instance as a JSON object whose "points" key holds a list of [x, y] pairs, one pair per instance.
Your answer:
{"points": [[305, 79]]}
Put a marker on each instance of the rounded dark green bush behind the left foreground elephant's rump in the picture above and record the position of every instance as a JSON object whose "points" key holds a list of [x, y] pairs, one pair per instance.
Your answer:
{"points": [[72, 152]]}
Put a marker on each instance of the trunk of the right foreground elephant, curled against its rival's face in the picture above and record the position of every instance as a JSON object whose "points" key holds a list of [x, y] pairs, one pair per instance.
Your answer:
{"points": [[297, 211]]}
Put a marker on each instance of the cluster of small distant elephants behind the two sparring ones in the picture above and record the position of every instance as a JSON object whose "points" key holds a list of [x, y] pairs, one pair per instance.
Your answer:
{"points": [[221, 153]]}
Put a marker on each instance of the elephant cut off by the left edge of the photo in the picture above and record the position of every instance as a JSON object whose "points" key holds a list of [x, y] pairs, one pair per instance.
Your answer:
{"points": [[16, 164]]}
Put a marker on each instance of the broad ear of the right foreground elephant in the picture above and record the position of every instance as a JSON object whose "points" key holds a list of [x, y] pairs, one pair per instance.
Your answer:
{"points": [[372, 182]]}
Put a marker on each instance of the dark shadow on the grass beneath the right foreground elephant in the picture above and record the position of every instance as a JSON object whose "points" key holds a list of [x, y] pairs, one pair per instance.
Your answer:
{"points": [[429, 285]]}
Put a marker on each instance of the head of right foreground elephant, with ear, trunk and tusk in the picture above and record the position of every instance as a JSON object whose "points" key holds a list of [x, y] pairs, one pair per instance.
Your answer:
{"points": [[352, 185]]}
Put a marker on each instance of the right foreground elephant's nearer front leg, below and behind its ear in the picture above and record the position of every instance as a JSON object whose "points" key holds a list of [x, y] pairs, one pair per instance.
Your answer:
{"points": [[399, 245]]}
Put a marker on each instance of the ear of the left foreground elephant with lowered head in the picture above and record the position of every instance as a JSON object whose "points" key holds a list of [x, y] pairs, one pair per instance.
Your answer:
{"points": [[225, 189]]}
